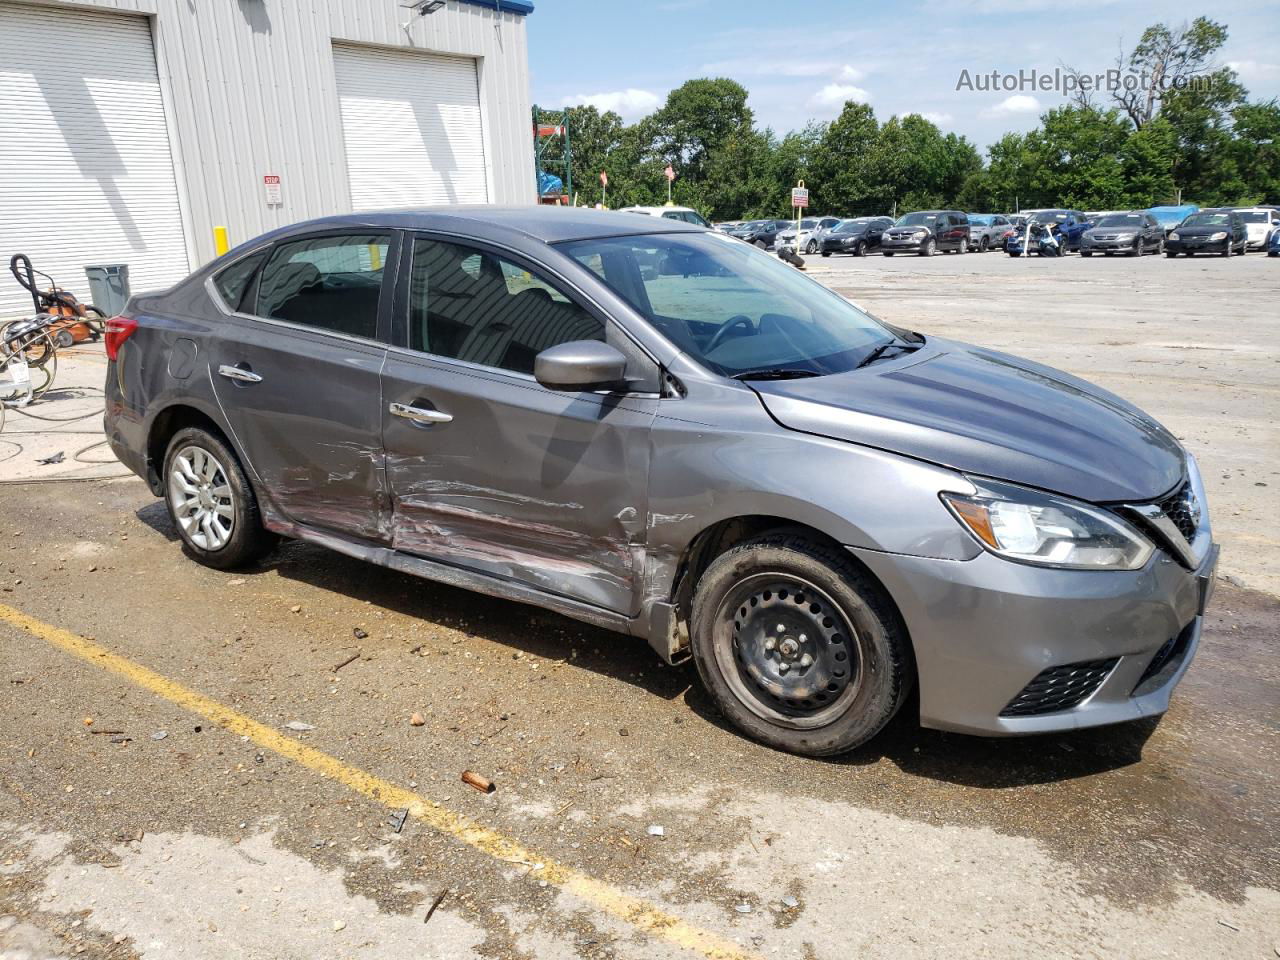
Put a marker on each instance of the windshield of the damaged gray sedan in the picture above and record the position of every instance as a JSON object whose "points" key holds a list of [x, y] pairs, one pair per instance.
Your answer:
{"points": [[733, 308]]}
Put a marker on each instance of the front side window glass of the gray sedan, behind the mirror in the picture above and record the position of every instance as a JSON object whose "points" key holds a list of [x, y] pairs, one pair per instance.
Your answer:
{"points": [[467, 304]]}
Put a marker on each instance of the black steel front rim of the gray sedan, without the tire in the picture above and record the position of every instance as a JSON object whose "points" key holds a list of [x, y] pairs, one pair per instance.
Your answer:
{"points": [[787, 651]]}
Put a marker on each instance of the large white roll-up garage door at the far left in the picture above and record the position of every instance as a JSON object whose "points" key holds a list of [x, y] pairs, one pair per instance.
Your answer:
{"points": [[86, 175]]}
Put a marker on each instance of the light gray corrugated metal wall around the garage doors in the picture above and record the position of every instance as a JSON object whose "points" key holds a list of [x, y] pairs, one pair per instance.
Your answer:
{"points": [[252, 92]]}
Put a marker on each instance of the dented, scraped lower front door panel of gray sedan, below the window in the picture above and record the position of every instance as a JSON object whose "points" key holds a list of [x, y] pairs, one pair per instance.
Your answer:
{"points": [[543, 488]]}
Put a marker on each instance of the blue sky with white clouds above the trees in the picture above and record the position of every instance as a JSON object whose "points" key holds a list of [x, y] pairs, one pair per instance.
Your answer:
{"points": [[803, 61]]}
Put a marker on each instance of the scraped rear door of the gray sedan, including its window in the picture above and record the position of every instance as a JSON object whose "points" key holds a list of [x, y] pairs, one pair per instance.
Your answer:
{"points": [[298, 374]]}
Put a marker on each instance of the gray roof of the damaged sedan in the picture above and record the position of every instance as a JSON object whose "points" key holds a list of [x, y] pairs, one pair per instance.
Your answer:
{"points": [[550, 225]]}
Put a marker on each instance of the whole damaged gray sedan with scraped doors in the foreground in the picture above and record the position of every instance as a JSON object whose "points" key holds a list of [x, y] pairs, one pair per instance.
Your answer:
{"points": [[661, 431]]}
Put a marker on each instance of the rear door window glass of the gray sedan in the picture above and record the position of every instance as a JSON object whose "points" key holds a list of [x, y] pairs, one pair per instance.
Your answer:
{"points": [[331, 284]]}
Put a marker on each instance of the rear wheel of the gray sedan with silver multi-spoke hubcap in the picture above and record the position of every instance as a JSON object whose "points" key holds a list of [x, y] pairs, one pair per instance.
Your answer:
{"points": [[194, 465]]}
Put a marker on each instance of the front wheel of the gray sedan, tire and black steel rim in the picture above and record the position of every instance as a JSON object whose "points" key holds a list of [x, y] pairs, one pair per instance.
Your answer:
{"points": [[762, 688]]}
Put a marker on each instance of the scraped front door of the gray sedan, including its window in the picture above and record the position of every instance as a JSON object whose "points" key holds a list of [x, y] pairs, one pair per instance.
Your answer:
{"points": [[490, 470]]}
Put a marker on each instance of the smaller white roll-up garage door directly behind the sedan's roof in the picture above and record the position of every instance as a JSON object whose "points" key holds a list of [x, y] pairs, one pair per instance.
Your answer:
{"points": [[412, 126]]}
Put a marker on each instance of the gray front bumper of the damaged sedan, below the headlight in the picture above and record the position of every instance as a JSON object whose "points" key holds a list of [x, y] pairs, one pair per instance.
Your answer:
{"points": [[985, 629]]}
